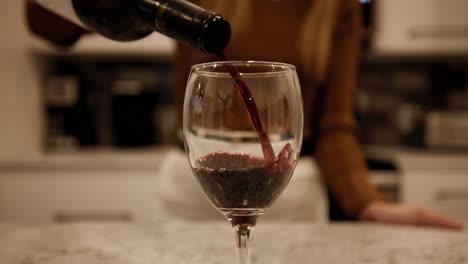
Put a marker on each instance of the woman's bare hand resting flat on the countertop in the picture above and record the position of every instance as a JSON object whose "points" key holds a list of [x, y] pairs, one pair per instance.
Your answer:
{"points": [[405, 214]]}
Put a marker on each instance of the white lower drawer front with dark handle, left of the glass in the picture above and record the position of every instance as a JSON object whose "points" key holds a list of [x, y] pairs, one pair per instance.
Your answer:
{"points": [[76, 196]]}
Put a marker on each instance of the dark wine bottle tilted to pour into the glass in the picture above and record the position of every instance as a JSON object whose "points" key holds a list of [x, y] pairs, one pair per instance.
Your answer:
{"points": [[127, 20]]}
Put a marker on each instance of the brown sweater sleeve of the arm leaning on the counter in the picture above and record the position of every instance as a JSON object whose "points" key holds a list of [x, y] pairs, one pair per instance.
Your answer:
{"points": [[337, 150]]}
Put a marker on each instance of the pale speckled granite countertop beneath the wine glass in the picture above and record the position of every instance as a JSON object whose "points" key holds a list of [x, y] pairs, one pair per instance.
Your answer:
{"points": [[213, 242]]}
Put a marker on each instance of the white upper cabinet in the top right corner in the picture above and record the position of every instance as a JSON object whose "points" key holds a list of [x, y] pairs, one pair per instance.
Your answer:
{"points": [[420, 27]]}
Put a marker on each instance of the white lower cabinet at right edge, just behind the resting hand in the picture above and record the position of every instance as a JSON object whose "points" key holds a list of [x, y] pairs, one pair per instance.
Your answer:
{"points": [[436, 181]]}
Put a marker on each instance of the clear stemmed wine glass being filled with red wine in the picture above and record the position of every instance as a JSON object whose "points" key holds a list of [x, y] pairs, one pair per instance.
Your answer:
{"points": [[242, 126]]}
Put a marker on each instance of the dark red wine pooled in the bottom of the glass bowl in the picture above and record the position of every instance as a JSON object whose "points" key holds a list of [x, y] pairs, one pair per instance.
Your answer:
{"points": [[241, 181]]}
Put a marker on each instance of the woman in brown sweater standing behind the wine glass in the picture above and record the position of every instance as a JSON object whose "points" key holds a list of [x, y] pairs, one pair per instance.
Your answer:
{"points": [[323, 39]]}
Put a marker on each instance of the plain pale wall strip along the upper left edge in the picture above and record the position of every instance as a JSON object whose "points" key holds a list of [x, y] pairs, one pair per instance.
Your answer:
{"points": [[20, 110]]}
